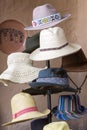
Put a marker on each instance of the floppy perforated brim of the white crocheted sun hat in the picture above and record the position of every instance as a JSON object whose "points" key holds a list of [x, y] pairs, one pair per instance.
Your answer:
{"points": [[25, 73]]}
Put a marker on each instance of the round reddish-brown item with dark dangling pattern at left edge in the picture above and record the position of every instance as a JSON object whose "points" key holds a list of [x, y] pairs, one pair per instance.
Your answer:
{"points": [[12, 36]]}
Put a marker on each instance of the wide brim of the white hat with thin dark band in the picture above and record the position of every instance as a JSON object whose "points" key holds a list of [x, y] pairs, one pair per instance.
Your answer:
{"points": [[38, 55]]}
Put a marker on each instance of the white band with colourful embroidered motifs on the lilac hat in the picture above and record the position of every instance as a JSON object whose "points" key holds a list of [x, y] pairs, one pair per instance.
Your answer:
{"points": [[46, 20]]}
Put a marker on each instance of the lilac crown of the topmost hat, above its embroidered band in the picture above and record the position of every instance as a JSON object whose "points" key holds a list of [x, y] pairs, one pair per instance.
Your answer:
{"points": [[43, 11]]}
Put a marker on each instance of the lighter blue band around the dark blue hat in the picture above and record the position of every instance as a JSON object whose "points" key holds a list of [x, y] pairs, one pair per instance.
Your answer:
{"points": [[54, 80]]}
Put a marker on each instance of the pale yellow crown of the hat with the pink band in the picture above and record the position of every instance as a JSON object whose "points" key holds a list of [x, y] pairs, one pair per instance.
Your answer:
{"points": [[22, 101]]}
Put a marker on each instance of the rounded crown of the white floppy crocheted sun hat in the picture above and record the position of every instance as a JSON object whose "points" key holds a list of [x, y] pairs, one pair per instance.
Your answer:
{"points": [[19, 58]]}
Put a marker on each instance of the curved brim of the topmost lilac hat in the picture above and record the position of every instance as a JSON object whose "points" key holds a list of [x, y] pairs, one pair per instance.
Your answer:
{"points": [[51, 24]]}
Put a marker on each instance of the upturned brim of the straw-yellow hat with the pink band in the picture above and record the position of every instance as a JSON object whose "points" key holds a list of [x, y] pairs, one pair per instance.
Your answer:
{"points": [[28, 116]]}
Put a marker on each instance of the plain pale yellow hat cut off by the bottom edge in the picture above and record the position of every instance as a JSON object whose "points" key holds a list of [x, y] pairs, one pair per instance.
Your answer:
{"points": [[60, 125]]}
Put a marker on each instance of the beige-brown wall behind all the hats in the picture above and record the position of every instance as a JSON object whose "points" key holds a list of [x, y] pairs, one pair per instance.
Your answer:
{"points": [[76, 31]]}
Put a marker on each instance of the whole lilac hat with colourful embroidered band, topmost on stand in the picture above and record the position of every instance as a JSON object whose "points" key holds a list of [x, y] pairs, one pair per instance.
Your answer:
{"points": [[46, 16]]}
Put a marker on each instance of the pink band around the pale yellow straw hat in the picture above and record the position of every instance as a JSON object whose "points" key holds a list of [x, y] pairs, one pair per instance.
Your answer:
{"points": [[30, 109]]}
